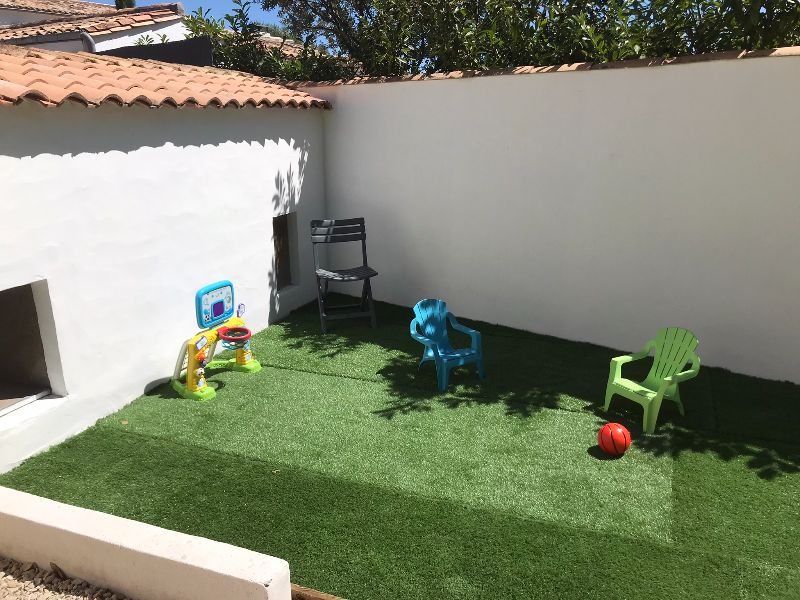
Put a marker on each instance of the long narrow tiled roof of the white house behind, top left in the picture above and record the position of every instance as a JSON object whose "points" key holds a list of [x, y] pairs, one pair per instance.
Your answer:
{"points": [[119, 20]]}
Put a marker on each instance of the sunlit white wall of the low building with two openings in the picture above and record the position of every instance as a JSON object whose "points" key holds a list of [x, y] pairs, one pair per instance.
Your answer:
{"points": [[126, 212]]}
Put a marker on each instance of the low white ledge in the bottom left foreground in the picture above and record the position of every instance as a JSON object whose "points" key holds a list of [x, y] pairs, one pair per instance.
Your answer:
{"points": [[142, 561]]}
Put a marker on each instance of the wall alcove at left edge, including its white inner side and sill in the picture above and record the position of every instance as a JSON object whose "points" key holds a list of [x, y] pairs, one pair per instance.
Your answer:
{"points": [[29, 365]]}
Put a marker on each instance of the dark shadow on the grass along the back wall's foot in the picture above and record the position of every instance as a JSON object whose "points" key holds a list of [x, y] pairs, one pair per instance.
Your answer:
{"points": [[731, 415]]}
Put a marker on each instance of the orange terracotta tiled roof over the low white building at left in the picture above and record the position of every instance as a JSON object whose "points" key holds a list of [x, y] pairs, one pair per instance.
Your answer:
{"points": [[53, 78]]}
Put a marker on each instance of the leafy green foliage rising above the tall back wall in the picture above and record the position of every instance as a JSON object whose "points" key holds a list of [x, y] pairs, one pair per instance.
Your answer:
{"points": [[342, 38]]}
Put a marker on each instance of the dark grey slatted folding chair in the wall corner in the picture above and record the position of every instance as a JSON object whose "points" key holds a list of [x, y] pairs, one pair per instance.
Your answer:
{"points": [[334, 232]]}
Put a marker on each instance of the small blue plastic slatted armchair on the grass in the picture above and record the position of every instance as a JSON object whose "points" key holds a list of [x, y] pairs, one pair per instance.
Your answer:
{"points": [[429, 328]]}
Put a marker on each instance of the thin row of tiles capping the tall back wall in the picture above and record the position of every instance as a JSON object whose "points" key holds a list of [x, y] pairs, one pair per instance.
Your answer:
{"points": [[565, 68]]}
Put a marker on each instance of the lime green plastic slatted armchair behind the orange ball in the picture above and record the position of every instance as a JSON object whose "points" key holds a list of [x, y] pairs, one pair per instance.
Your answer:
{"points": [[674, 348]]}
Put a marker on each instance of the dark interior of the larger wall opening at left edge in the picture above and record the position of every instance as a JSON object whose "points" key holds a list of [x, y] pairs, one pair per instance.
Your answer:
{"points": [[23, 369]]}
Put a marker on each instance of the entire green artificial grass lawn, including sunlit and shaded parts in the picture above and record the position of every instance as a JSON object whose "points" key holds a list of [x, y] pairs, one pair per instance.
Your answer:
{"points": [[341, 457]]}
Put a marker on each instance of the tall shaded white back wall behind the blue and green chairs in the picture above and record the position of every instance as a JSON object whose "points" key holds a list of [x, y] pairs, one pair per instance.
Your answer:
{"points": [[594, 206]]}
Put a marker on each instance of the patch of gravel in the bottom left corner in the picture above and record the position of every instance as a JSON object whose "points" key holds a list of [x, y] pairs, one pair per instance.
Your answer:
{"points": [[28, 581]]}
